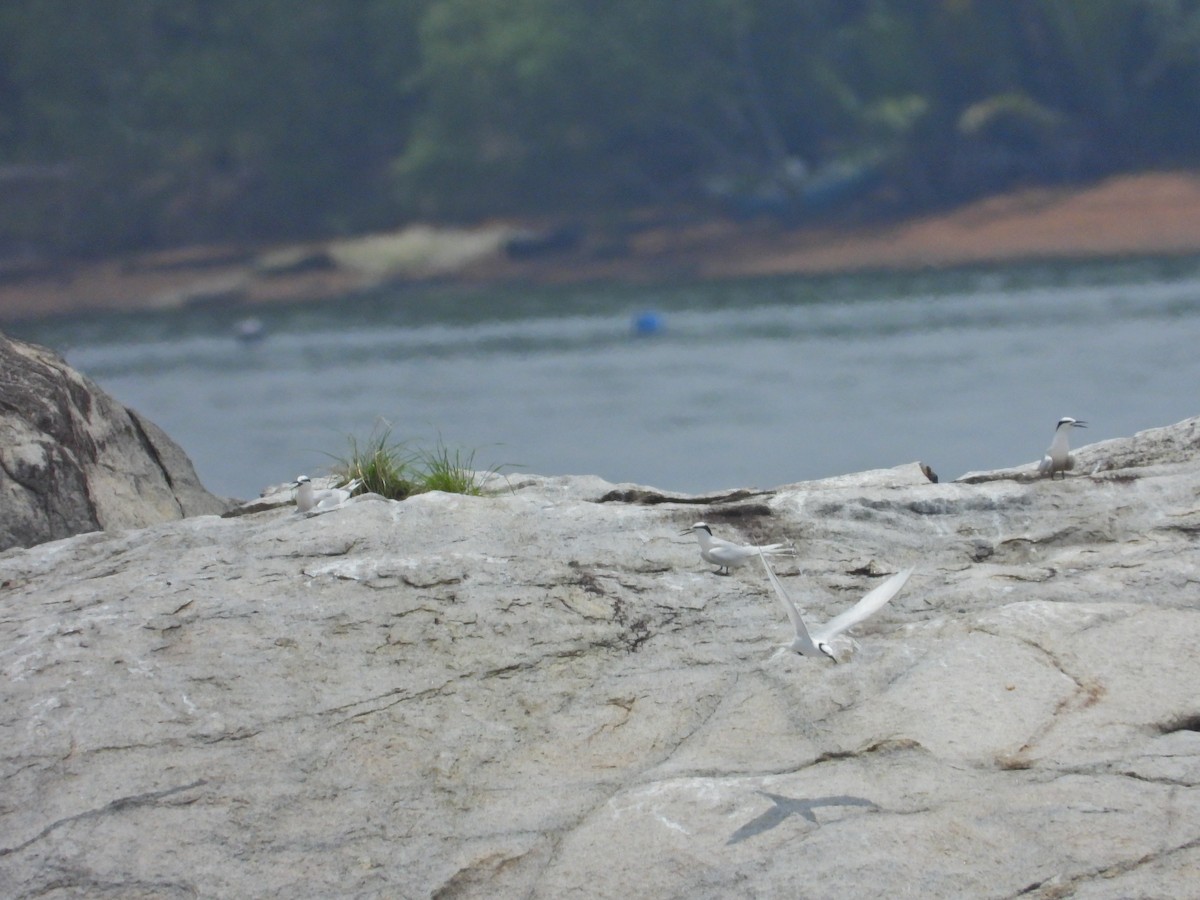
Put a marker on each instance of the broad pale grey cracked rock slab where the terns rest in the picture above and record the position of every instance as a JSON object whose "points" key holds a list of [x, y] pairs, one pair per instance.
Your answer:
{"points": [[545, 693]]}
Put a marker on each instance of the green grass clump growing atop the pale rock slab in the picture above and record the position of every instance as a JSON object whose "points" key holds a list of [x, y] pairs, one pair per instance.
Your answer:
{"points": [[395, 471]]}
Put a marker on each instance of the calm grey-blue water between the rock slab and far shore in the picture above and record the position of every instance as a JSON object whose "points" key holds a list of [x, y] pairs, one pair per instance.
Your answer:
{"points": [[754, 382]]}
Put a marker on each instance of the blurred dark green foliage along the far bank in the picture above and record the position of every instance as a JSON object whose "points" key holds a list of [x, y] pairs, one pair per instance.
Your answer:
{"points": [[146, 123]]}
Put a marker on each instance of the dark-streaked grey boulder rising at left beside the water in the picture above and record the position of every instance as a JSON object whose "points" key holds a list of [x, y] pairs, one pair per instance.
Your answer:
{"points": [[74, 460]]}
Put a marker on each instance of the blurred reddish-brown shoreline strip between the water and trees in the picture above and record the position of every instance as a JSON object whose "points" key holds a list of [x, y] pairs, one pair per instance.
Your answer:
{"points": [[1148, 214]]}
